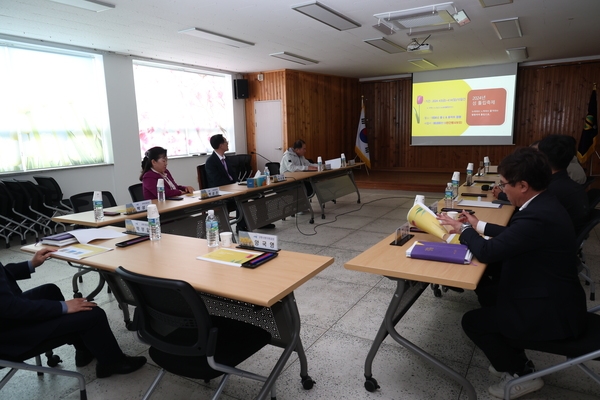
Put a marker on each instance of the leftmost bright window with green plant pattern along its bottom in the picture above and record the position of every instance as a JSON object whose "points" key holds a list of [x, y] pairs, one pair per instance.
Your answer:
{"points": [[53, 110]]}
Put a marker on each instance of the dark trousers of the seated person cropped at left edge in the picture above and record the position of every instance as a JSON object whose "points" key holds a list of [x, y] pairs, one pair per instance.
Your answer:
{"points": [[91, 327]]}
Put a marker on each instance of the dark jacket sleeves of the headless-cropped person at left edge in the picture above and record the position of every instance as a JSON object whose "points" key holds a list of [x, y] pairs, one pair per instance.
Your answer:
{"points": [[14, 306]]}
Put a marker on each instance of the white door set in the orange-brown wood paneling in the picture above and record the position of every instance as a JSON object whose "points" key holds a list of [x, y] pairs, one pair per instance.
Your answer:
{"points": [[268, 116]]}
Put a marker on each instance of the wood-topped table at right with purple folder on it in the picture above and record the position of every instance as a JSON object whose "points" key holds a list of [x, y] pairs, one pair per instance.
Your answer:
{"points": [[412, 276]]}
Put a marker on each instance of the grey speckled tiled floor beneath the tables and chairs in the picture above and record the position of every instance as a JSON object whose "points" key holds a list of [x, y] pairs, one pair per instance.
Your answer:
{"points": [[341, 311]]}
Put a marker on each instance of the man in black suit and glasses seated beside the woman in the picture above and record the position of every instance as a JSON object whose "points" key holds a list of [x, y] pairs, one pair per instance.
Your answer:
{"points": [[220, 172]]}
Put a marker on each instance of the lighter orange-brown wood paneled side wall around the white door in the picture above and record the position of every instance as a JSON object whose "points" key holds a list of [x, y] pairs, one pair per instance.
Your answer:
{"points": [[322, 110]]}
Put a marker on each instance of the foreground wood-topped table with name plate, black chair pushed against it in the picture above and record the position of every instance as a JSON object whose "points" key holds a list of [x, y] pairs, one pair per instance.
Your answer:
{"points": [[264, 291]]}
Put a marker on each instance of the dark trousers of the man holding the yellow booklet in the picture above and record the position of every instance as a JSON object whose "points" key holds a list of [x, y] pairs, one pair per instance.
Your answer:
{"points": [[482, 328]]}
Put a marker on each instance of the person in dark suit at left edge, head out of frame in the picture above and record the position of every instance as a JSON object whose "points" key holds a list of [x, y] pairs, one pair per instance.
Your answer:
{"points": [[31, 317]]}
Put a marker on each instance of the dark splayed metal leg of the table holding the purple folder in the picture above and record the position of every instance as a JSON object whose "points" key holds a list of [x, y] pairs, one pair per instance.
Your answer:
{"points": [[391, 319]]}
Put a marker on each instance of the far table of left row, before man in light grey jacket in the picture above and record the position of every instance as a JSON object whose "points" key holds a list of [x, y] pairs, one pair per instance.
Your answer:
{"points": [[330, 184]]}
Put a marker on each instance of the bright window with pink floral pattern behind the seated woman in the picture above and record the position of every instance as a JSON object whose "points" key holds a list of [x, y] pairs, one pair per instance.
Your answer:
{"points": [[181, 108]]}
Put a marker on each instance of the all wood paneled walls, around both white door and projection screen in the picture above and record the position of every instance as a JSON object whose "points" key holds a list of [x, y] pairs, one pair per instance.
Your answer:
{"points": [[324, 110]]}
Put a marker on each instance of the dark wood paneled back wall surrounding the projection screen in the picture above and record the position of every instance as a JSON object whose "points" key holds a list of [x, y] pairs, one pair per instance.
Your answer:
{"points": [[551, 99]]}
